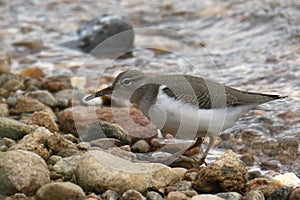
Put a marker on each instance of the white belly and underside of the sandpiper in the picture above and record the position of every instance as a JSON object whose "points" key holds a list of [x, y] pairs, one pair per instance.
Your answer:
{"points": [[185, 120]]}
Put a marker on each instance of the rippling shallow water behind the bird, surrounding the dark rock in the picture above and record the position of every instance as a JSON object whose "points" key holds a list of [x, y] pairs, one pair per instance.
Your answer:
{"points": [[251, 45]]}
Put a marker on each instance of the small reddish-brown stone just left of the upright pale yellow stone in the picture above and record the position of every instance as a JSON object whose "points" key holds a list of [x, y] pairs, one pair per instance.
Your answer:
{"points": [[57, 83]]}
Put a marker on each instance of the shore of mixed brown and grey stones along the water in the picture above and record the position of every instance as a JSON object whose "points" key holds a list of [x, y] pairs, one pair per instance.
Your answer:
{"points": [[50, 152]]}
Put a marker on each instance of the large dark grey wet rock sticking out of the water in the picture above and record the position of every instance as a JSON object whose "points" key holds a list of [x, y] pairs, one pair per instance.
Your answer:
{"points": [[103, 28]]}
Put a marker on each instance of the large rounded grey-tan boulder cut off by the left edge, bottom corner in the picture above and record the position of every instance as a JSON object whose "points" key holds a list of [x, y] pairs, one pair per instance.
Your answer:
{"points": [[22, 171]]}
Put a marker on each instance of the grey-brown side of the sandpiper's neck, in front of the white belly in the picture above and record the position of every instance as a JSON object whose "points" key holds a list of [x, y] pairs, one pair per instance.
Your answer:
{"points": [[145, 97]]}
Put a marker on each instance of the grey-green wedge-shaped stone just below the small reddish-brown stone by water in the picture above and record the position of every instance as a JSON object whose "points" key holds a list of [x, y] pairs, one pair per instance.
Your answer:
{"points": [[44, 96]]}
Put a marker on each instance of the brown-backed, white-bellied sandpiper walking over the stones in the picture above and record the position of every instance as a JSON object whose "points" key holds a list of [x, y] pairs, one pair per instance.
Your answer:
{"points": [[185, 106]]}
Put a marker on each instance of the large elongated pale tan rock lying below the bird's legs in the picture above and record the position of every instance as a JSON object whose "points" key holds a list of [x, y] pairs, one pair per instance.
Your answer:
{"points": [[96, 171]]}
